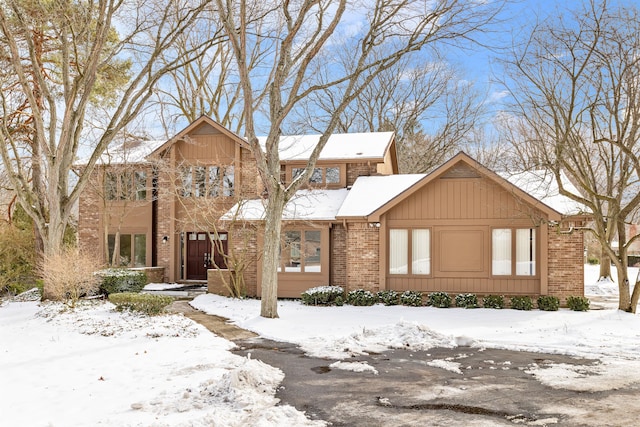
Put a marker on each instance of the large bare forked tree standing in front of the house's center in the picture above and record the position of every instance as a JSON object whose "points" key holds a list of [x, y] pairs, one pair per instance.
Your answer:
{"points": [[308, 33]]}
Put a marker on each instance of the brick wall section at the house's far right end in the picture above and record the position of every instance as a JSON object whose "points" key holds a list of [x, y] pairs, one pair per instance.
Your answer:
{"points": [[566, 263]]}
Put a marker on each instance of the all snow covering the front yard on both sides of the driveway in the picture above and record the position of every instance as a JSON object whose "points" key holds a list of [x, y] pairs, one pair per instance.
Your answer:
{"points": [[94, 366]]}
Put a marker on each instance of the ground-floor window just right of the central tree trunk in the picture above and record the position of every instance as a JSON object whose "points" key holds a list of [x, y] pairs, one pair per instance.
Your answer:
{"points": [[300, 251]]}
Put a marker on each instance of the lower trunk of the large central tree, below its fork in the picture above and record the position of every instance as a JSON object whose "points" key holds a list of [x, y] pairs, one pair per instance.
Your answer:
{"points": [[271, 253]]}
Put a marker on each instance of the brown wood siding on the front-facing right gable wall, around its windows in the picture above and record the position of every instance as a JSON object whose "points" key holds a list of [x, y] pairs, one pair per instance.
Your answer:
{"points": [[461, 209]]}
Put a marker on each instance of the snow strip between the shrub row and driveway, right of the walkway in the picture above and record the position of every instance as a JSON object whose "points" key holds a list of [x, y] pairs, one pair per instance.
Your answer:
{"points": [[606, 334]]}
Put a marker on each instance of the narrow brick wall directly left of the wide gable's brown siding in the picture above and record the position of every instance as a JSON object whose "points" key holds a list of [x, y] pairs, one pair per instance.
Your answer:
{"points": [[363, 257]]}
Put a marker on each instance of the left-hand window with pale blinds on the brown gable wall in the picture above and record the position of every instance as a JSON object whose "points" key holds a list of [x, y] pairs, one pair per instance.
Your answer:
{"points": [[414, 245]]}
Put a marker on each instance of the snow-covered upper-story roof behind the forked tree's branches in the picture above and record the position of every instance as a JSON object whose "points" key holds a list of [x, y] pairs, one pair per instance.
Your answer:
{"points": [[370, 145]]}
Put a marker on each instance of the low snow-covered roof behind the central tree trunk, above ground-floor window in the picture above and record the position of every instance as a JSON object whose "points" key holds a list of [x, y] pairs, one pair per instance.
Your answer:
{"points": [[306, 205]]}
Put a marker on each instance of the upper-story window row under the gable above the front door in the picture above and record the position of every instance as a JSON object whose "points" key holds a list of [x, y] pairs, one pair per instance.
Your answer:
{"points": [[208, 181]]}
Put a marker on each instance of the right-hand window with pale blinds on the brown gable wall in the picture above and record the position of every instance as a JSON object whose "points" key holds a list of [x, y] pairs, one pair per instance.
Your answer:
{"points": [[504, 245]]}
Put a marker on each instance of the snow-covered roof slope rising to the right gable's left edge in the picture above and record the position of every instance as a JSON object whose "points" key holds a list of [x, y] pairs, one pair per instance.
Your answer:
{"points": [[371, 192]]}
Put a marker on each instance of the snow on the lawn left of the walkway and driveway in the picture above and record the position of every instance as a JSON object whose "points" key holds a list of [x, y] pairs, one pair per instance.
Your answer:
{"points": [[94, 366]]}
